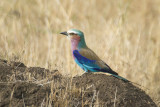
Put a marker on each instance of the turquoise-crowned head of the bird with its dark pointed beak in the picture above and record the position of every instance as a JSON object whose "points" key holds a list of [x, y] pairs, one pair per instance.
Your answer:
{"points": [[75, 36]]}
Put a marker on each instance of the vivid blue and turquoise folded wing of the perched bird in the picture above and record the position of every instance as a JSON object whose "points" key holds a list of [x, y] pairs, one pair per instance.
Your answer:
{"points": [[91, 65]]}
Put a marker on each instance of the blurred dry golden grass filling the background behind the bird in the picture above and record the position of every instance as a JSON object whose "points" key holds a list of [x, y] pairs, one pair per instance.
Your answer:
{"points": [[124, 33]]}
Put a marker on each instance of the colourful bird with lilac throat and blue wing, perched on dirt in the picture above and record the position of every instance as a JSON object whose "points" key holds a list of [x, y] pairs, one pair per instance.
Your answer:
{"points": [[85, 57]]}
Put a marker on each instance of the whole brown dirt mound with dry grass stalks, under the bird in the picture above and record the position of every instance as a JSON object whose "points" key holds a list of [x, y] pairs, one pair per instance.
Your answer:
{"points": [[35, 86]]}
